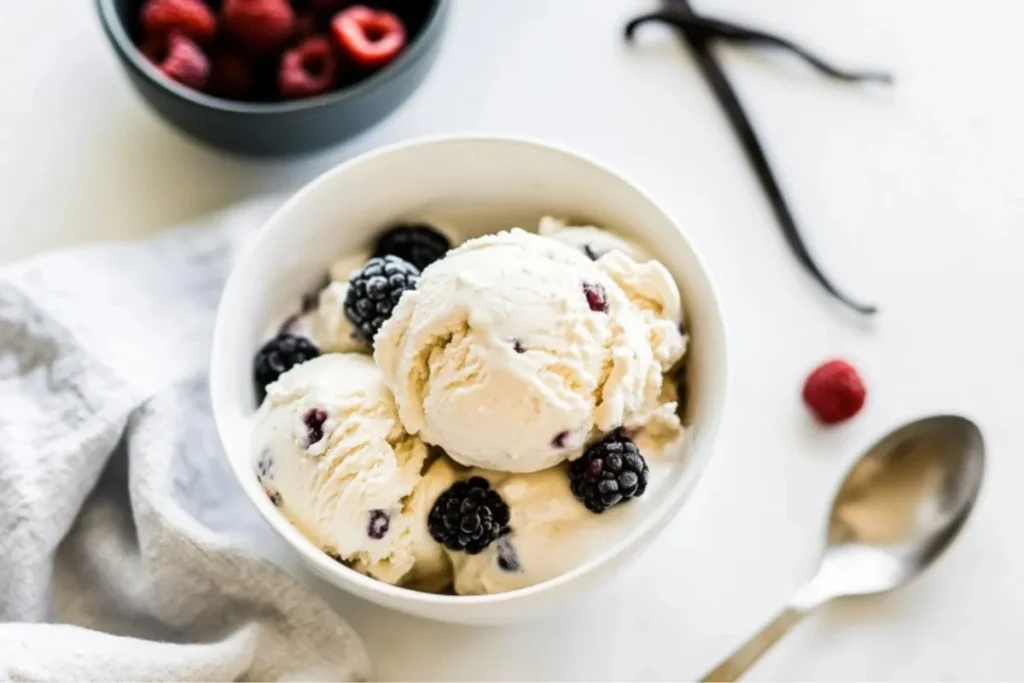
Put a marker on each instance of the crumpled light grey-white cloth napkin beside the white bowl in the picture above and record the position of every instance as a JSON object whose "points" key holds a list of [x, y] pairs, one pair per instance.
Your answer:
{"points": [[122, 533]]}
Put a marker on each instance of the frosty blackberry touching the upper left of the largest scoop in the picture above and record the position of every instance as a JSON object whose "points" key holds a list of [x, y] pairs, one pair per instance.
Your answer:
{"points": [[374, 292]]}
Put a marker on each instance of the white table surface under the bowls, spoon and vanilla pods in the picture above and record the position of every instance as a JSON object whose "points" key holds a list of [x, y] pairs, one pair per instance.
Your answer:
{"points": [[913, 199]]}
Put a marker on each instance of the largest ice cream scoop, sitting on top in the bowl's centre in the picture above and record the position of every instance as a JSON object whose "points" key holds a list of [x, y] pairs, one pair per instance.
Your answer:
{"points": [[515, 351]]}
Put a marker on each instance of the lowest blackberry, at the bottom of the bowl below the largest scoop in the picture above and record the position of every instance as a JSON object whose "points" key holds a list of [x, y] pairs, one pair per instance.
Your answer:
{"points": [[470, 517]]}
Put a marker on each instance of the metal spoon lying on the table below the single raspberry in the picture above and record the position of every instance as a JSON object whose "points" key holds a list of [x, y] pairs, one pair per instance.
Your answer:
{"points": [[901, 506]]}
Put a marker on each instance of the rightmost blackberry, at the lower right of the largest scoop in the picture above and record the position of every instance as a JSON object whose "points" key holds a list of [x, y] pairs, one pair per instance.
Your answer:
{"points": [[610, 473]]}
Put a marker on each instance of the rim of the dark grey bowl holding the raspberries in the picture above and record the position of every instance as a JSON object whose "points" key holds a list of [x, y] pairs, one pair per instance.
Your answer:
{"points": [[132, 57]]}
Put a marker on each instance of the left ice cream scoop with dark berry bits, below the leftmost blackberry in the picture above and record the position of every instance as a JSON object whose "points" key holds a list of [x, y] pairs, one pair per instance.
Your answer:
{"points": [[333, 456]]}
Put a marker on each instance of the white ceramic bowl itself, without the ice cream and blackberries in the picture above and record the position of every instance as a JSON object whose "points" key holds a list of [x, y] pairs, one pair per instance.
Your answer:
{"points": [[477, 186]]}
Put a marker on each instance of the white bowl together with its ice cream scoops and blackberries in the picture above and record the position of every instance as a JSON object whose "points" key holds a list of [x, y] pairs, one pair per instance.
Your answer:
{"points": [[452, 375]]}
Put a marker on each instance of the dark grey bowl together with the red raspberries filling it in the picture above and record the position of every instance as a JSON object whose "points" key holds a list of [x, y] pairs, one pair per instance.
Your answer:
{"points": [[275, 77]]}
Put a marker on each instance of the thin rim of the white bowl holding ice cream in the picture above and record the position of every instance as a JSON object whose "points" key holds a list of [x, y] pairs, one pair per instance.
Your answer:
{"points": [[646, 529]]}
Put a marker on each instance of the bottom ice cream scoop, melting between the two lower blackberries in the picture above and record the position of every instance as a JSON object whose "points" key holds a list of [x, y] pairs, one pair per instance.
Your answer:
{"points": [[552, 533]]}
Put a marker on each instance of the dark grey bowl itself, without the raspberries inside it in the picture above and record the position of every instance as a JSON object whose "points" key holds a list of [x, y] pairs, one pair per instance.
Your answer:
{"points": [[277, 129]]}
